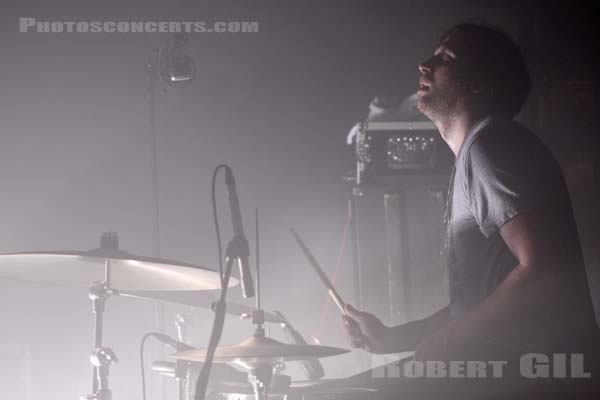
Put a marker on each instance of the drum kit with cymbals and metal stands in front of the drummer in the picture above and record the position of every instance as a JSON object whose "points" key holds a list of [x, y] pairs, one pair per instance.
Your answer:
{"points": [[109, 271]]}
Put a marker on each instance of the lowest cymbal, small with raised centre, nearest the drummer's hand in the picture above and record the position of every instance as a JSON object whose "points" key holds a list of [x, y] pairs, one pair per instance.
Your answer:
{"points": [[260, 348]]}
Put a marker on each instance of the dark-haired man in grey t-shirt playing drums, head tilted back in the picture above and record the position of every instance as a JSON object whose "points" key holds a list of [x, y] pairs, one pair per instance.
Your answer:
{"points": [[517, 278]]}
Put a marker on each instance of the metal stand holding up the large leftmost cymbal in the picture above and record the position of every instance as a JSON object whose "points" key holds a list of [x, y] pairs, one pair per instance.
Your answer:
{"points": [[101, 357]]}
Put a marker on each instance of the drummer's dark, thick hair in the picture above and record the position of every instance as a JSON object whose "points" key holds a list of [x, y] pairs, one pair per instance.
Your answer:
{"points": [[494, 62]]}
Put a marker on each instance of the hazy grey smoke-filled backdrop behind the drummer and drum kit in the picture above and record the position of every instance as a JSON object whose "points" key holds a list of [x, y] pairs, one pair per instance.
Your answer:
{"points": [[276, 105]]}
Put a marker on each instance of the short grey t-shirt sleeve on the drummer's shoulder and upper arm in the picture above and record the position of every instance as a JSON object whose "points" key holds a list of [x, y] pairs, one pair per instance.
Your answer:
{"points": [[501, 183]]}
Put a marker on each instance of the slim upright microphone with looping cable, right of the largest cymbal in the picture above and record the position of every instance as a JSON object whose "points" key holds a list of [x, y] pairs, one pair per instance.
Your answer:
{"points": [[239, 245]]}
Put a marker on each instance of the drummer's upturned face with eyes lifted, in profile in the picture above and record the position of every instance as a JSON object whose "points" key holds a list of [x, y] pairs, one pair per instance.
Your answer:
{"points": [[439, 86]]}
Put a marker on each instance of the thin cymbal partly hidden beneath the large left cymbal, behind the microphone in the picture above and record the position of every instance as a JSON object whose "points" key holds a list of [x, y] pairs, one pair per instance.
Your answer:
{"points": [[198, 299]]}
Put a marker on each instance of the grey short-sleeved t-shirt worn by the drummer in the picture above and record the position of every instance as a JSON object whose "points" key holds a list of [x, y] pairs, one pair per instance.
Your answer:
{"points": [[502, 170]]}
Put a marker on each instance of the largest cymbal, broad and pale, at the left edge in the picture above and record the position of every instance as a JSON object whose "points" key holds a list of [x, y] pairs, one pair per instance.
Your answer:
{"points": [[127, 271]]}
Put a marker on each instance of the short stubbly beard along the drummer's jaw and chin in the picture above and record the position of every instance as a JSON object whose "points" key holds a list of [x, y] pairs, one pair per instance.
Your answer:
{"points": [[440, 103]]}
